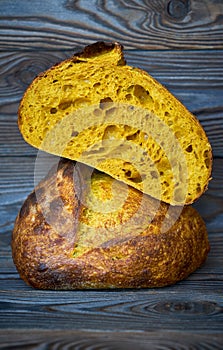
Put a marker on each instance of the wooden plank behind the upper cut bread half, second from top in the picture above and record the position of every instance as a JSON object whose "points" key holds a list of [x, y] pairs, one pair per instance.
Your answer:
{"points": [[194, 77]]}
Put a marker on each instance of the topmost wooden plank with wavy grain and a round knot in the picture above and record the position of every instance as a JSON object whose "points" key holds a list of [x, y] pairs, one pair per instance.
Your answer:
{"points": [[137, 24]]}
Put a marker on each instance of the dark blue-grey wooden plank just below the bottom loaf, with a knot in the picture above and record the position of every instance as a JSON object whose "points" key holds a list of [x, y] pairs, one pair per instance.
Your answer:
{"points": [[133, 310]]}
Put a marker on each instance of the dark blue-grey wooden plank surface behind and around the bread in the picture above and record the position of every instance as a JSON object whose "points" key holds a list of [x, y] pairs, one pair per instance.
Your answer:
{"points": [[180, 43]]}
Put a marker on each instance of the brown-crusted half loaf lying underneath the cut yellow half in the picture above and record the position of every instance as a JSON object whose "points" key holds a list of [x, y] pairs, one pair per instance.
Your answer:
{"points": [[82, 229]]}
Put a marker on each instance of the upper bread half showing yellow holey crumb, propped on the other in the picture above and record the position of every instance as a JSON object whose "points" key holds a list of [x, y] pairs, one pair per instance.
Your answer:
{"points": [[96, 109]]}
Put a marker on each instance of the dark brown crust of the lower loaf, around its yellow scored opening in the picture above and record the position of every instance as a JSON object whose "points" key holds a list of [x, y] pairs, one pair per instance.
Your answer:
{"points": [[44, 258]]}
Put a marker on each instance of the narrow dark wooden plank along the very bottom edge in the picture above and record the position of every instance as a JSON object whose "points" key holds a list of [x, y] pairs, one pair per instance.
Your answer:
{"points": [[155, 340]]}
